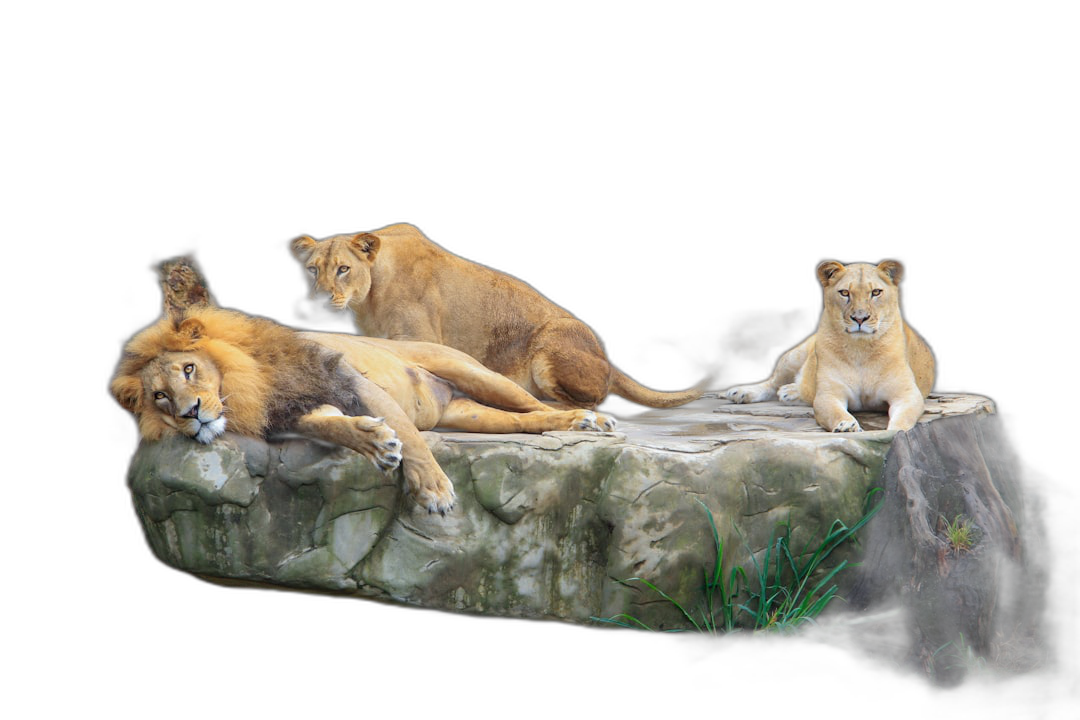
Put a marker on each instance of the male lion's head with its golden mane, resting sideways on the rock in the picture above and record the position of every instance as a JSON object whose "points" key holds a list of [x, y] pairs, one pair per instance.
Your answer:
{"points": [[175, 378]]}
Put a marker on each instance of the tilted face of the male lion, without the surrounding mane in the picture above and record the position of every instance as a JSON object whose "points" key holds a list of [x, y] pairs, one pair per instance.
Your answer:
{"points": [[182, 390]]}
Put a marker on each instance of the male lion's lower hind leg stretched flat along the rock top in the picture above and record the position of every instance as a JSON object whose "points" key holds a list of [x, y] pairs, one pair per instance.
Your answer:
{"points": [[469, 416]]}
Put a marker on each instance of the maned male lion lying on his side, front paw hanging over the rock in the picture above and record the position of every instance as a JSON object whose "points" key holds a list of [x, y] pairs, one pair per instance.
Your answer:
{"points": [[201, 370]]}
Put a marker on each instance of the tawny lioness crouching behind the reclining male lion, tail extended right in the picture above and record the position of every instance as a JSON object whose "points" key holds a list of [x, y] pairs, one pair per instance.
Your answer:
{"points": [[400, 286]]}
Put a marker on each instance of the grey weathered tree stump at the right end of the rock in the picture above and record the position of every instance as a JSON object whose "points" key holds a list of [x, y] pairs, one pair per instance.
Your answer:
{"points": [[953, 600]]}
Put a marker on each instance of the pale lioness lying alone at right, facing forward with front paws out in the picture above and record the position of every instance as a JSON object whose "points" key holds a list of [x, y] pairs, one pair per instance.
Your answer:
{"points": [[865, 356]]}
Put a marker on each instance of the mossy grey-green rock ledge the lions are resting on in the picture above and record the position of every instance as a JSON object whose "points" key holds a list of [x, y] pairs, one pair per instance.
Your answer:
{"points": [[546, 526]]}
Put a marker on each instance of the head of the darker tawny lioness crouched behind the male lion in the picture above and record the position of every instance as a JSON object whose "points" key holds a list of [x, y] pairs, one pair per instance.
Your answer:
{"points": [[339, 268]]}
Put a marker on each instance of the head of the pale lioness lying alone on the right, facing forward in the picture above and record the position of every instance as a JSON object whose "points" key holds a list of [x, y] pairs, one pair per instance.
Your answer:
{"points": [[861, 298]]}
